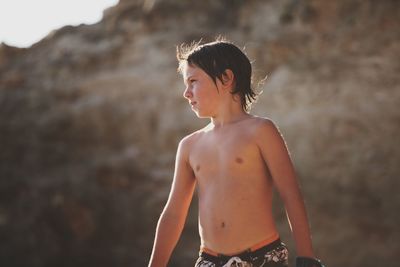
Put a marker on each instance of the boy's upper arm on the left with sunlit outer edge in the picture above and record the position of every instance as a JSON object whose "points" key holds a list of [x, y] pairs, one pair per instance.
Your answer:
{"points": [[183, 184]]}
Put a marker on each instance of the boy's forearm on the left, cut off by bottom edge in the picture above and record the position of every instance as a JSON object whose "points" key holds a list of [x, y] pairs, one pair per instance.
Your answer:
{"points": [[169, 229]]}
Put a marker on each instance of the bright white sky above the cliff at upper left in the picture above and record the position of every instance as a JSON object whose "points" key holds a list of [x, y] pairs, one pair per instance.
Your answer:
{"points": [[25, 22]]}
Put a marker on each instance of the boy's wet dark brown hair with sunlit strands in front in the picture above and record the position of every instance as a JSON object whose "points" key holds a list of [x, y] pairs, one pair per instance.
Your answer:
{"points": [[214, 59]]}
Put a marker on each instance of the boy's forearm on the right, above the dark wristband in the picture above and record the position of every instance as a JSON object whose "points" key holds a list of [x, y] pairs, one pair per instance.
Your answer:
{"points": [[297, 217]]}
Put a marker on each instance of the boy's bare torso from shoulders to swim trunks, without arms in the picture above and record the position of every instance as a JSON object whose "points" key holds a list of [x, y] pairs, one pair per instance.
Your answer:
{"points": [[234, 187]]}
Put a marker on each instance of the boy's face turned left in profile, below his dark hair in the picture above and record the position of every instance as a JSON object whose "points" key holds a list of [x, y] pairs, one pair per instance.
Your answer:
{"points": [[201, 91]]}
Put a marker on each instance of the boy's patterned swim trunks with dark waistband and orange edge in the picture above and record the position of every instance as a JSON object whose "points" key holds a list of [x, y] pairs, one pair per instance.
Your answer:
{"points": [[274, 254]]}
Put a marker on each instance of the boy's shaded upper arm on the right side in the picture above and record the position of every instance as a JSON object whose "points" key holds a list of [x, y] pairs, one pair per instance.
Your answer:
{"points": [[276, 156]]}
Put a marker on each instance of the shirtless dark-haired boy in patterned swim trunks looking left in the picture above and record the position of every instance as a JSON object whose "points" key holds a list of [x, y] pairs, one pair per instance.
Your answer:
{"points": [[234, 161]]}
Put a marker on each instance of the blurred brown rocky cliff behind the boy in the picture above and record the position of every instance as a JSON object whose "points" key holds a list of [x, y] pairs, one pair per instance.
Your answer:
{"points": [[90, 118]]}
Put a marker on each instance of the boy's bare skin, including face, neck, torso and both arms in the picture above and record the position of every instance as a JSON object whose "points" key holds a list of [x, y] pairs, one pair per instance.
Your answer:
{"points": [[234, 161]]}
